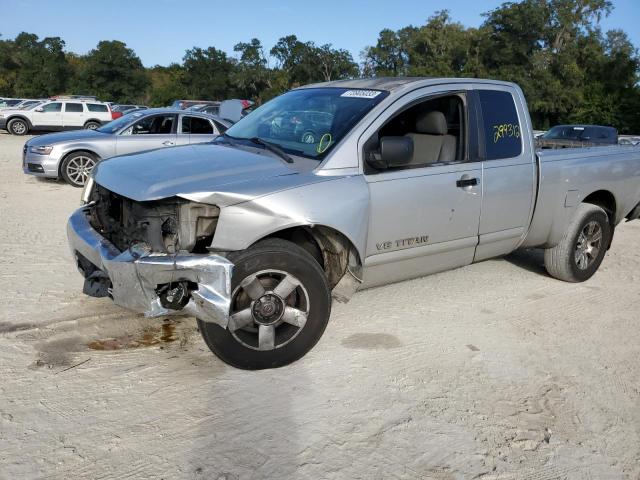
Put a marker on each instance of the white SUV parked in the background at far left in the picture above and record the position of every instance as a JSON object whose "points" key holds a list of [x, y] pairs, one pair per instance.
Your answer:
{"points": [[55, 115]]}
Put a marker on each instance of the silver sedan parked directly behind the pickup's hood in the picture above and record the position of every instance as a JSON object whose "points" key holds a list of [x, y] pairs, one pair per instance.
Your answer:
{"points": [[72, 155]]}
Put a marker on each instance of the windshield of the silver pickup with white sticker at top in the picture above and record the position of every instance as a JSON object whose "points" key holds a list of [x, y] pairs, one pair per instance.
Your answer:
{"points": [[309, 121]]}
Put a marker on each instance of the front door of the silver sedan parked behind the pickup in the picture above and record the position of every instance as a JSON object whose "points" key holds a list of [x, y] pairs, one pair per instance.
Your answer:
{"points": [[148, 133]]}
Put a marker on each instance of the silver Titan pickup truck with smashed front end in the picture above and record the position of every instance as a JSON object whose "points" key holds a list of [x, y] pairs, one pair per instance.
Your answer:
{"points": [[336, 187]]}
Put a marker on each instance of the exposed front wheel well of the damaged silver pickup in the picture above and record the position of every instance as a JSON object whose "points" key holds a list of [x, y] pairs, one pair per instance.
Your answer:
{"points": [[332, 250]]}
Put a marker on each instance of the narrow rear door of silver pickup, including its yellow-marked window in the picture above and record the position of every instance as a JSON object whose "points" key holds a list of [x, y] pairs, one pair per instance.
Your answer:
{"points": [[508, 170]]}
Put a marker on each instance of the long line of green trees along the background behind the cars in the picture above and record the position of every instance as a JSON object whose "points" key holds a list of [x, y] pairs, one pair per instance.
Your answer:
{"points": [[570, 70]]}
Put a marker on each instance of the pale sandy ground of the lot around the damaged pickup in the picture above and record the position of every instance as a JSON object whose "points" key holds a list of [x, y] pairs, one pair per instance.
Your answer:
{"points": [[494, 371]]}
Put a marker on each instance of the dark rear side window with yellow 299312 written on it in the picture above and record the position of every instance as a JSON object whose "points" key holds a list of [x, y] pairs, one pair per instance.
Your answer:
{"points": [[502, 131]]}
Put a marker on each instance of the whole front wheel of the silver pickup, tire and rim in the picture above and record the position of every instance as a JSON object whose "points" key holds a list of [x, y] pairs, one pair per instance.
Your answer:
{"points": [[280, 306]]}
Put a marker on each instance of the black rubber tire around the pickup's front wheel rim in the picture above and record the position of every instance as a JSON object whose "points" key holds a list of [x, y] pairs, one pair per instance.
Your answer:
{"points": [[284, 257]]}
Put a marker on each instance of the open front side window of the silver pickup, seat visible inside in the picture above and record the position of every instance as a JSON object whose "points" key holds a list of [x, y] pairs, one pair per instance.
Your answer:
{"points": [[437, 128]]}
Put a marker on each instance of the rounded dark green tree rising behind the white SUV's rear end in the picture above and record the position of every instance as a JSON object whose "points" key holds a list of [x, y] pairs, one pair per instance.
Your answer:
{"points": [[112, 71]]}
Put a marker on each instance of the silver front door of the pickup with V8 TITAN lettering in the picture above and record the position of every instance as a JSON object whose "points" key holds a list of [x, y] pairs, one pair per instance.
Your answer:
{"points": [[424, 217]]}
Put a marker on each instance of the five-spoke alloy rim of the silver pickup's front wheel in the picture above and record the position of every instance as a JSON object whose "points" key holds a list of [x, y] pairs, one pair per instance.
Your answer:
{"points": [[268, 310]]}
